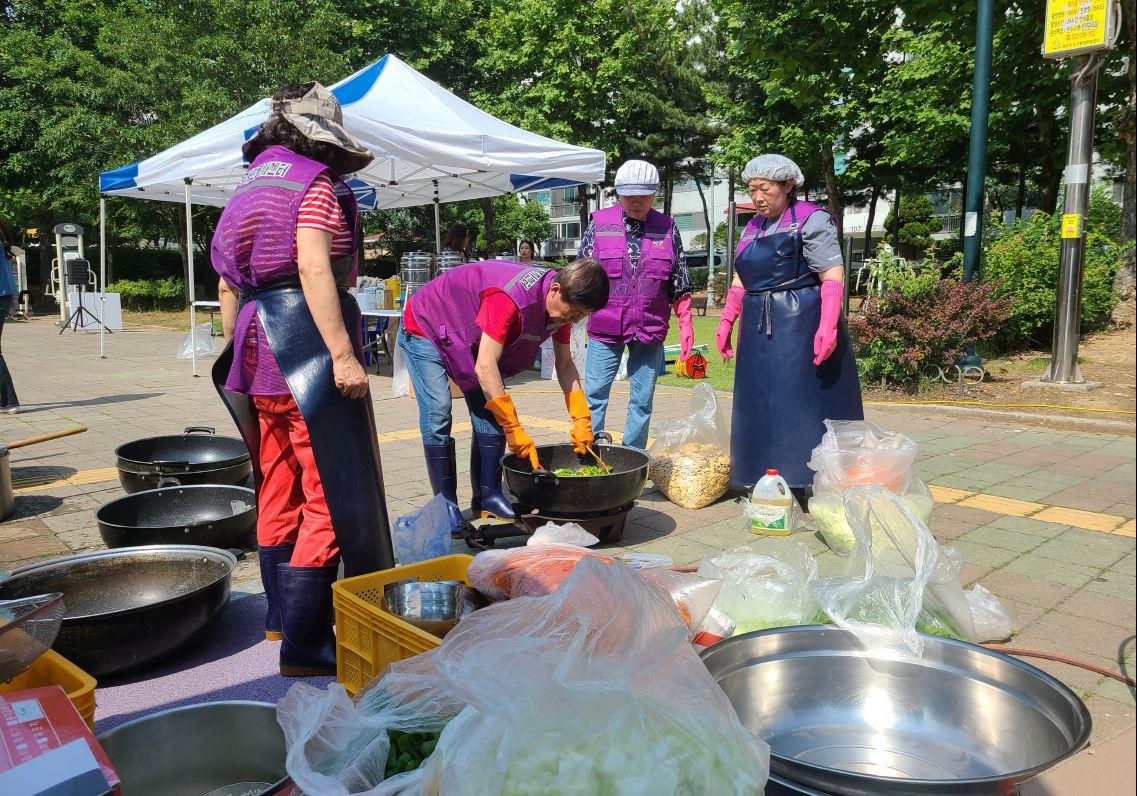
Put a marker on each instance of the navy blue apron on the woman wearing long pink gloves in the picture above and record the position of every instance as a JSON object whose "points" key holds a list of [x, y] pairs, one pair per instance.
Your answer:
{"points": [[782, 399]]}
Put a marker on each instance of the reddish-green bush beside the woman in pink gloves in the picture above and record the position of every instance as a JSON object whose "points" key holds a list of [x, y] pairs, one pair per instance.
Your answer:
{"points": [[925, 322]]}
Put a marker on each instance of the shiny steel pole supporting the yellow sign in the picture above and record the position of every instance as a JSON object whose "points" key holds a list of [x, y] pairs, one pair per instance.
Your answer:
{"points": [[1064, 368]]}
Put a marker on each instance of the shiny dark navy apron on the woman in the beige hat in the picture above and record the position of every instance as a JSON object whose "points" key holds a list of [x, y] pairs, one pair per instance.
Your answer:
{"points": [[339, 428]]}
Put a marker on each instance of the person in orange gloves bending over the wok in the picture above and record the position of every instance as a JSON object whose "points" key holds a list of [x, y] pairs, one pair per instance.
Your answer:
{"points": [[479, 326]]}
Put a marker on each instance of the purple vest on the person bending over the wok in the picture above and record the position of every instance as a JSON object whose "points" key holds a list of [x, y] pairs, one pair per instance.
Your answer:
{"points": [[446, 310]]}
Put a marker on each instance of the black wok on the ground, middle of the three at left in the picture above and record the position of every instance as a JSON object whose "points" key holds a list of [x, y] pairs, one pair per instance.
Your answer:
{"points": [[204, 515]]}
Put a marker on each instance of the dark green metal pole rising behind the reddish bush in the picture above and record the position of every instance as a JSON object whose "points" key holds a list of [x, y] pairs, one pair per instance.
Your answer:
{"points": [[977, 154]]}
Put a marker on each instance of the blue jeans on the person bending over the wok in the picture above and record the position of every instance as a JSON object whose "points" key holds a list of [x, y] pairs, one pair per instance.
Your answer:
{"points": [[433, 393]]}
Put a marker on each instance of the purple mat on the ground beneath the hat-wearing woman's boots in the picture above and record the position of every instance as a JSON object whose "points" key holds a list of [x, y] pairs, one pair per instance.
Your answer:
{"points": [[234, 662]]}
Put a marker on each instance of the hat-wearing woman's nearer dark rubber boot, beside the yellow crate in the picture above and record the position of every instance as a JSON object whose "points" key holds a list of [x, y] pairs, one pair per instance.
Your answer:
{"points": [[309, 649]]}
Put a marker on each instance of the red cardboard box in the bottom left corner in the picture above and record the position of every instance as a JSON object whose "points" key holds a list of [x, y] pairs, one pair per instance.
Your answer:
{"points": [[47, 748]]}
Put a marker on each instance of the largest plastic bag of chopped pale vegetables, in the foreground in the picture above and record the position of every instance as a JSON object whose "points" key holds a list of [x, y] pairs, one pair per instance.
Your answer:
{"points": [[591, 690]]}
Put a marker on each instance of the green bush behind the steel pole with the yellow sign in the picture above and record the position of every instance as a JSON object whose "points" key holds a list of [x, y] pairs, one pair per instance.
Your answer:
{"points": [[1024, 258]]}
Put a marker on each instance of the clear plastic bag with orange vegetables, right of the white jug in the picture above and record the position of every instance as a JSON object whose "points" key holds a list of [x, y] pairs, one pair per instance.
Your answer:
{"points": [[859, 453]]}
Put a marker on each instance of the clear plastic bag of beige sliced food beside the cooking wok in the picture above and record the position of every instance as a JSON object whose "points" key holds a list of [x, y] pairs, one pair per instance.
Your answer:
{"points": [[691, 459]]}
